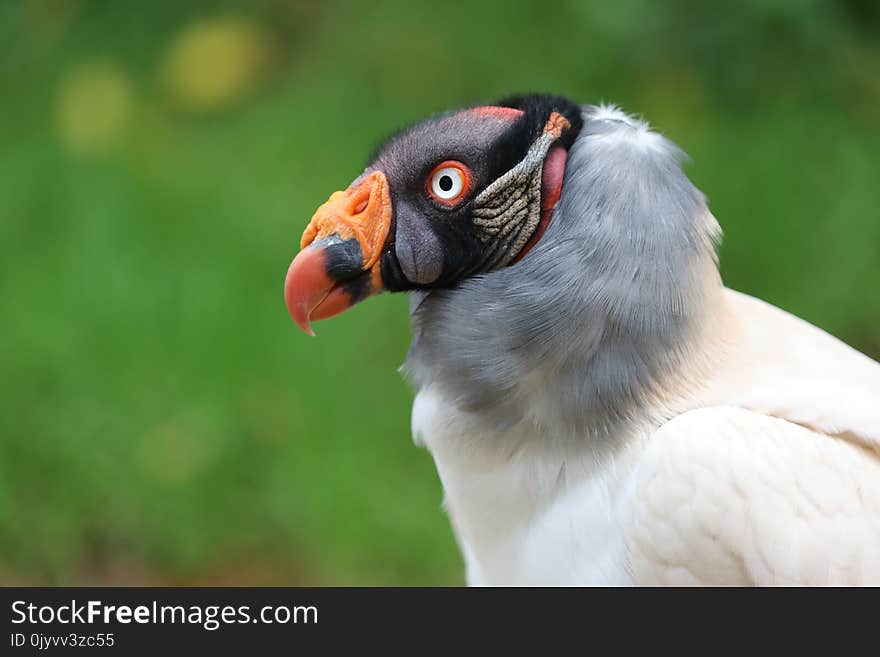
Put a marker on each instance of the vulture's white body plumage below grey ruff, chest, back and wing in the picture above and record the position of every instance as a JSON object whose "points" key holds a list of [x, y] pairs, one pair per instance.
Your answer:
{"points": [[765, 470]]}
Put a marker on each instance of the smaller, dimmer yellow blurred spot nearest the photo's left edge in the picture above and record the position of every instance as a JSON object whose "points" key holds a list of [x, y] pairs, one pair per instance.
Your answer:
{"points": [[94, 107]]}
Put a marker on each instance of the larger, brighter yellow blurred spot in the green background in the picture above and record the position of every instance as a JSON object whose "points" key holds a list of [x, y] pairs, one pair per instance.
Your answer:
{"points": [[215, 62]]}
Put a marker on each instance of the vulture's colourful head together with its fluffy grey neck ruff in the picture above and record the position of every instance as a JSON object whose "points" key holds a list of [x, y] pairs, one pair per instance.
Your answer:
{"points": [[541, 240]]}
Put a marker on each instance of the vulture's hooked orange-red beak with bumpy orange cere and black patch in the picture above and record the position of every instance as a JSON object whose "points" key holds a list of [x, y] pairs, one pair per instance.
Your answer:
{"points": [[341, 248]]}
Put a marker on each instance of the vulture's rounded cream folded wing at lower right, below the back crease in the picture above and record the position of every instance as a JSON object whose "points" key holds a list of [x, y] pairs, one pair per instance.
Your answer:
{"points": [[728, 496]]}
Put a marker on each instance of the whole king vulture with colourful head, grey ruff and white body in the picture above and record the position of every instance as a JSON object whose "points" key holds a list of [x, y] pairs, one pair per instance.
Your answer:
{"points": [[600, 408]]}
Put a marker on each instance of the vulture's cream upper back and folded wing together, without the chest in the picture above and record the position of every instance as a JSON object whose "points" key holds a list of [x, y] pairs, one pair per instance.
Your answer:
{"points": [[774, 476]]}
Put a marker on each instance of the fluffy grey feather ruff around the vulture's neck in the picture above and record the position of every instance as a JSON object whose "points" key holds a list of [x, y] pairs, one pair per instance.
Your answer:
{"points": [[602, 306]]}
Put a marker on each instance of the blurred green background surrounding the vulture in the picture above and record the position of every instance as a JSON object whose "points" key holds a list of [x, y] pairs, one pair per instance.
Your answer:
{"points": [[161, 420]]}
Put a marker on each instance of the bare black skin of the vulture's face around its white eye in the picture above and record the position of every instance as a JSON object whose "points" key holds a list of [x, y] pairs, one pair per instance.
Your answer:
{"points": [[430, 232]]}
